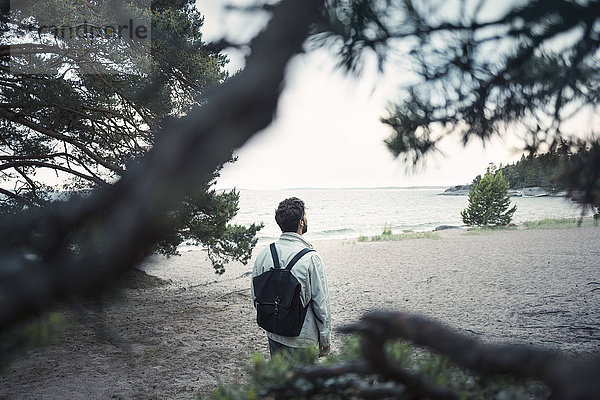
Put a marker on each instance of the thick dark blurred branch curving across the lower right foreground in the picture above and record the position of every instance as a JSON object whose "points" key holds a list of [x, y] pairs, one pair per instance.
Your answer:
{"points": [[568, 378]]}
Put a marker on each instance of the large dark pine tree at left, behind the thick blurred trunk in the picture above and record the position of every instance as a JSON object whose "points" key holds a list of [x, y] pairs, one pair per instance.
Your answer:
{"points": [[91, 125]]}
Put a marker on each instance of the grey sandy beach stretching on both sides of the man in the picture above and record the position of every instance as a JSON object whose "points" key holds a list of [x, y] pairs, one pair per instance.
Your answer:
{"points": [[539, 287]]}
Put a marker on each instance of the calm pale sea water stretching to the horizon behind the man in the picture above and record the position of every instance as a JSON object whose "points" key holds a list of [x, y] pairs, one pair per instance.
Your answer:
{"points": [[348, 213]]}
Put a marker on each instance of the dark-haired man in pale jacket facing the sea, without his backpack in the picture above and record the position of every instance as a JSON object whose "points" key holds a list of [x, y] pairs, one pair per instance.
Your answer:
{"points": [[291, 218]]}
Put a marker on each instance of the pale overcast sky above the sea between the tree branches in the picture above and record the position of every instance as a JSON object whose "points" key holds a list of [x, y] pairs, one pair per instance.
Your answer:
{"points": [[327, 131]]}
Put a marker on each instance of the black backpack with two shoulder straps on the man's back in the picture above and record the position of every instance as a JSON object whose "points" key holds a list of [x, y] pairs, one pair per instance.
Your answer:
{"points": [[277, 295]]}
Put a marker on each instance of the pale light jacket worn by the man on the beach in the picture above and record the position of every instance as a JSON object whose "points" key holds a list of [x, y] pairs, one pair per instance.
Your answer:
{"points": [[309, 272]]}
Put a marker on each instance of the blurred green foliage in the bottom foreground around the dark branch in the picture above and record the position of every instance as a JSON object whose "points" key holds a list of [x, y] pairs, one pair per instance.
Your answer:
{"points": [[280, 377]]}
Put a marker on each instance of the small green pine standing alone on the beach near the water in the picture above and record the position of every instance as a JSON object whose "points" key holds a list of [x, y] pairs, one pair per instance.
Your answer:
{"points": [[489, 201]]}
